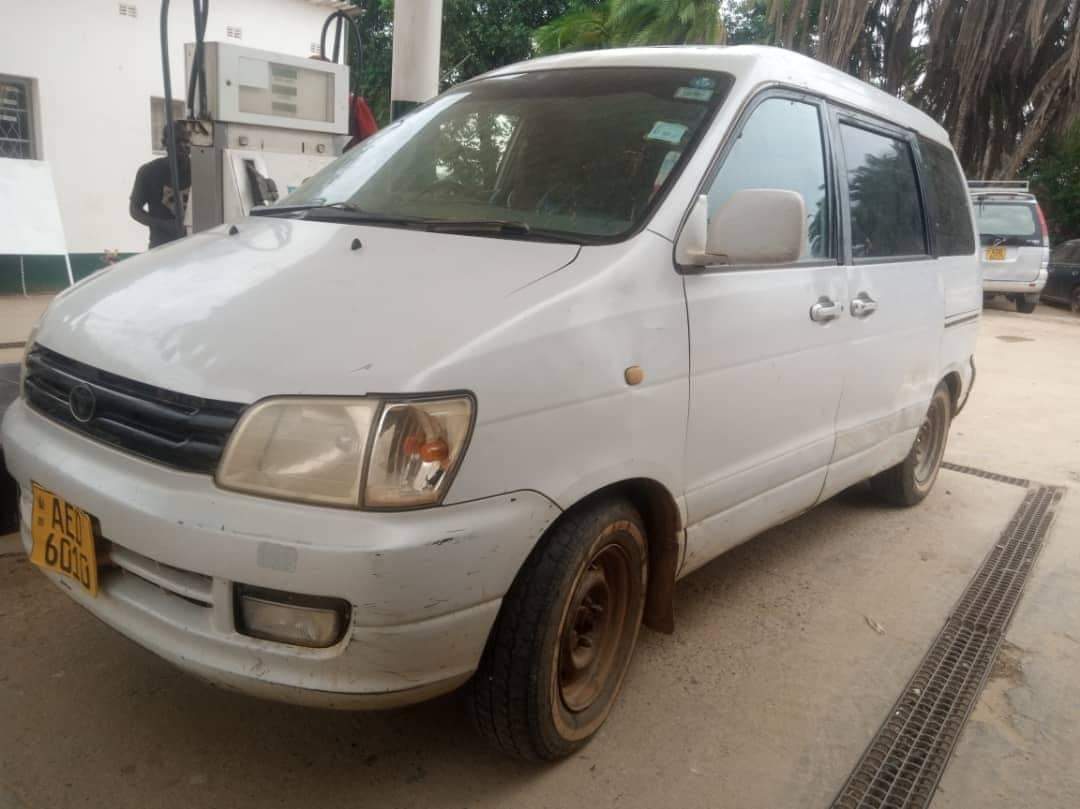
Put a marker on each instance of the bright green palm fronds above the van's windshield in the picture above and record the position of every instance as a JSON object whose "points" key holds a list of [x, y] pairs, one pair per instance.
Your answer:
{"points": [[618, 23]]}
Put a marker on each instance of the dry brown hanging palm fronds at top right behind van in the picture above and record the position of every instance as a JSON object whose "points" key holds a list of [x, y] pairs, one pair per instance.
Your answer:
{"points": [[1001, 75]]}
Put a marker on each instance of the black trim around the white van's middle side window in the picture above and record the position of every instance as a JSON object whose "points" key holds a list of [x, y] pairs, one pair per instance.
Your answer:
{"points": [[845, 116]]}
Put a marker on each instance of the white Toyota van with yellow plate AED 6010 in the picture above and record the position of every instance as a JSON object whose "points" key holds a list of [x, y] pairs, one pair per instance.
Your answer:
{"points": [[467, 404]]}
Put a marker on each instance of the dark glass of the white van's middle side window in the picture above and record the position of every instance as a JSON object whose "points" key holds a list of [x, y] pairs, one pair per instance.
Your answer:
{"points": [[886, 208]]}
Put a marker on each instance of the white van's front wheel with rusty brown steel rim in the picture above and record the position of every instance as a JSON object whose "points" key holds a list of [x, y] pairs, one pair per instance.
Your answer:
{"points": [[535, 696]]}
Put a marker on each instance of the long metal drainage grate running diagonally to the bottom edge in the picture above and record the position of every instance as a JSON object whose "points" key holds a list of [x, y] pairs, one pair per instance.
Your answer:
{"points": [[906, 761]]}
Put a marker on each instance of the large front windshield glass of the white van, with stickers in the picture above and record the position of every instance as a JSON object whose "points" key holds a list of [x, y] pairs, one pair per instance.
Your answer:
{"points": [[582, 153]]}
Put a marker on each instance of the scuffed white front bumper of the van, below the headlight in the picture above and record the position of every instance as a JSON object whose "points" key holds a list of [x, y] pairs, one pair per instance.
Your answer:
{"points": [[425, 586]]}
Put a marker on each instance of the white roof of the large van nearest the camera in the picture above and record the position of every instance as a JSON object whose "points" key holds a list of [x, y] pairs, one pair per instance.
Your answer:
{"points": [[757, 64]]}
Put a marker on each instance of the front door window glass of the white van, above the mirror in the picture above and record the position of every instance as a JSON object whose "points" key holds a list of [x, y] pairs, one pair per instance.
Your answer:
{"points": [[781, 147]]}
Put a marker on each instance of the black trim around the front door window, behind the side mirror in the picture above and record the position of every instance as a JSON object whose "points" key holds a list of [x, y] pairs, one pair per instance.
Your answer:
{"points": [[735, 131]]}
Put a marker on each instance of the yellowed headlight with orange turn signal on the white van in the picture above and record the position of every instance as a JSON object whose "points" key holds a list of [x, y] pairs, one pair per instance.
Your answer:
{"points": [[317, 451]]}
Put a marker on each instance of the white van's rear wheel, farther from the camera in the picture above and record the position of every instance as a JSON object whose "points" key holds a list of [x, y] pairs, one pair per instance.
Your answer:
{"points": [[912, 480]]}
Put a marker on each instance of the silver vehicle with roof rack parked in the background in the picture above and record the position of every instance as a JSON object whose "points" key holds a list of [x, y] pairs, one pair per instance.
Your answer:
{"points": [[1016, 242]]}
